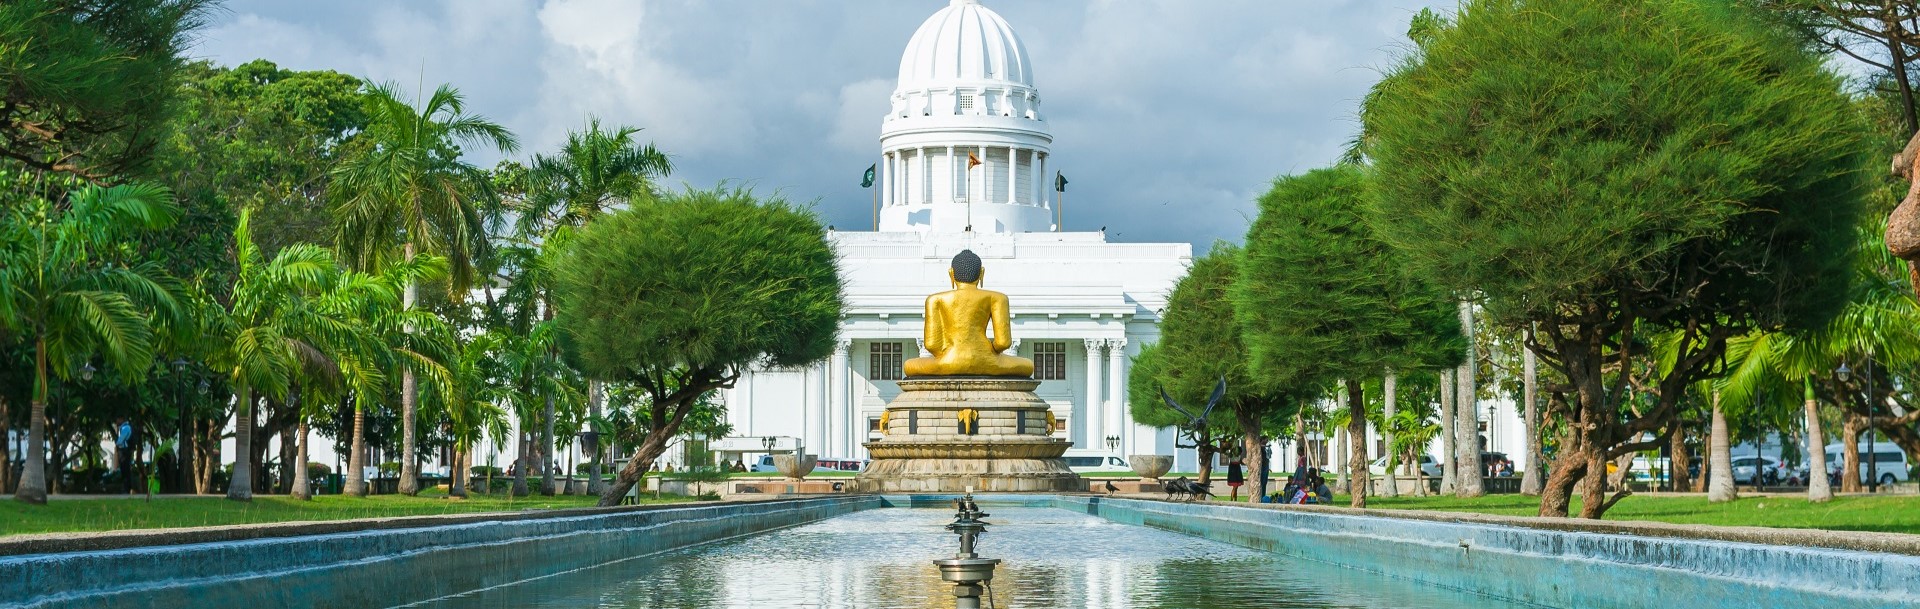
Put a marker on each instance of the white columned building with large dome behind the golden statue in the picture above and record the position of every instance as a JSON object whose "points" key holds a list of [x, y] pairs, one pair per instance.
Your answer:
{"points": [[967, 164]]}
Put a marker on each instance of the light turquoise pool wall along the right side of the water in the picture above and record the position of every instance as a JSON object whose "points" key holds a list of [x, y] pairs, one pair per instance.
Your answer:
{"points": [[1545, 568]]}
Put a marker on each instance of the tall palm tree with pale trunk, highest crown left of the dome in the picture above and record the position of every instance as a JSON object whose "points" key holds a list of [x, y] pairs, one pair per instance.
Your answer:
{"points": [[410, 185]]}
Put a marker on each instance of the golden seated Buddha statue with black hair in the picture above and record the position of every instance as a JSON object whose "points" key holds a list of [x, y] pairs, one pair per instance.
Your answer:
{"points": [[957, 329]]}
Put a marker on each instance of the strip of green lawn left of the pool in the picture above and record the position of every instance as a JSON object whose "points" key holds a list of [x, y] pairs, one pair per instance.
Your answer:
{"points": [[72, 516]]}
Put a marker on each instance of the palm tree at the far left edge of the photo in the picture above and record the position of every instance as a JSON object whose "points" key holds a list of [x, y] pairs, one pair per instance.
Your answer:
{"points": [[62, 291]]}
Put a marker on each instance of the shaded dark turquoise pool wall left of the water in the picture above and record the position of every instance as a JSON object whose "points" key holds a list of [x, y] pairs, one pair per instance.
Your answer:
{"points": [[385, 568]]}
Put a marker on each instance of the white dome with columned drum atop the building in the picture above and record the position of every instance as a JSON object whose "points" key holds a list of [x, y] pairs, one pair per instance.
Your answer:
{"points": [[965, 143]]}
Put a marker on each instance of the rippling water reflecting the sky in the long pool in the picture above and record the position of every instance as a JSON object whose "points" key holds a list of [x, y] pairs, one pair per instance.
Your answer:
{"points": [[1051, 558]]}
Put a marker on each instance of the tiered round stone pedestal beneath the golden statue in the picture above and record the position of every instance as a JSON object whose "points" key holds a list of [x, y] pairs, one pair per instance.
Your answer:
{"points": [[1007, 449]]}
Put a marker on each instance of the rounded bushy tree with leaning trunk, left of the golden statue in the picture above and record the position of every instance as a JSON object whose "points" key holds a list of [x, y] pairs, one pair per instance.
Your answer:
{"points": [[683, 293]]}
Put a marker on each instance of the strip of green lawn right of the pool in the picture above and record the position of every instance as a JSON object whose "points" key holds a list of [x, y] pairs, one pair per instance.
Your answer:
{"points": [[1881, 514]]}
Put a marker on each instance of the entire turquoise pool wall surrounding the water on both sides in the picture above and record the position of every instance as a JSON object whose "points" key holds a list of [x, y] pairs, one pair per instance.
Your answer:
{"points": [[387, 568]]}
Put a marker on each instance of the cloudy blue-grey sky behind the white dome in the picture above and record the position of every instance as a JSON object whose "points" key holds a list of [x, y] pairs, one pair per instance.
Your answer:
{"points": [[1170, 116]]}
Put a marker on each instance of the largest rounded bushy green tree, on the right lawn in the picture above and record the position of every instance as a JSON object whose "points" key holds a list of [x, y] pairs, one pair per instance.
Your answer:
{"points": [[1687, 168]]}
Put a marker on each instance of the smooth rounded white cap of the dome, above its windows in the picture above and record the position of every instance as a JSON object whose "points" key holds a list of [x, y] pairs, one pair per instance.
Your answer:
{"points": [[967, 43]]}
